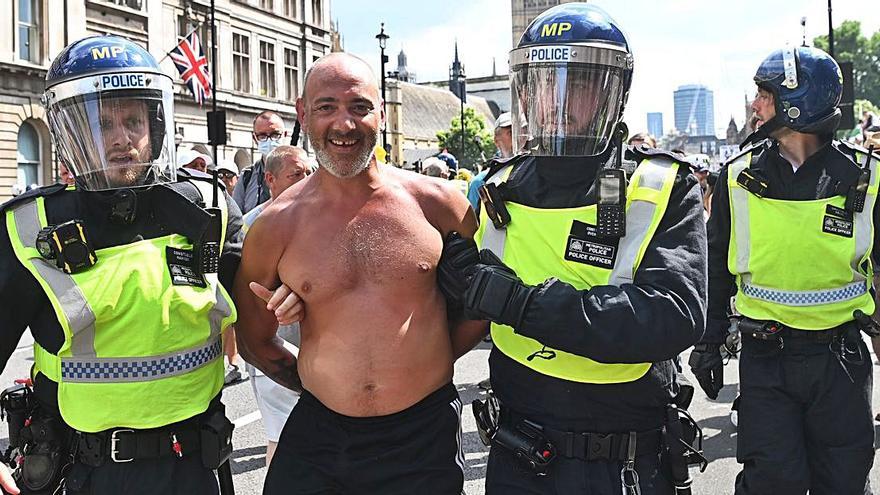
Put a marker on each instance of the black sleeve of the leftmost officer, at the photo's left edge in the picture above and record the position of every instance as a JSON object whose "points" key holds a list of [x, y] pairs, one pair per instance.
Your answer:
{"points": [[18, 304]]}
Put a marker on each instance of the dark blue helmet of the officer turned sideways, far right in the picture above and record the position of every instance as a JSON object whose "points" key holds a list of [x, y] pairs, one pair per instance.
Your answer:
{"points": [[806, 84]]}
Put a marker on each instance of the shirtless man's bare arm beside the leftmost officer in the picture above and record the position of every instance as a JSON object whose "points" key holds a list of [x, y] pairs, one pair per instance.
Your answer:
{"points": [[256, 329]]}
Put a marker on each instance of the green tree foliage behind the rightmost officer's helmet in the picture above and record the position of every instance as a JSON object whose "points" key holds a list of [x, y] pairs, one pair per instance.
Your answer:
{"points": [[864, 52]]}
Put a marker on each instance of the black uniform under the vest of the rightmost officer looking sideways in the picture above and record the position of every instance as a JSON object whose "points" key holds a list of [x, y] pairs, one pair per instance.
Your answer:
{"points": [[803, 423]]}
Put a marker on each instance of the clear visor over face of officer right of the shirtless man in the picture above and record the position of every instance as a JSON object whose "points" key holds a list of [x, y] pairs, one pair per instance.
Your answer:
{"points": [[565, 109]]}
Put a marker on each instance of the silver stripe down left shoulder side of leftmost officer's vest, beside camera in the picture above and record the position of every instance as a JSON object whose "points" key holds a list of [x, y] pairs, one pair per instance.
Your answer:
{"points": [[76, 309]]}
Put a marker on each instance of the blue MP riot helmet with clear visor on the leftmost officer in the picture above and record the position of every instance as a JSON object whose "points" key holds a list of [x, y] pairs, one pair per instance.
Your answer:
{"points": [[110, 111]]}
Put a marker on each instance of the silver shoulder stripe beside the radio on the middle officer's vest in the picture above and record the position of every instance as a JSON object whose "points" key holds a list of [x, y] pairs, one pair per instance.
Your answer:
{"points": [[639, 217]]}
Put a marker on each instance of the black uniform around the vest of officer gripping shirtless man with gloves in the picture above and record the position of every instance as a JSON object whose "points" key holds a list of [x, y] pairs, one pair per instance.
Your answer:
{"points": [[653, 320]]}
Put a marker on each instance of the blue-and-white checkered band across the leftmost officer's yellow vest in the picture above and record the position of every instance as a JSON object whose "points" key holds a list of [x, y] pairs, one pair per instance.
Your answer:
{"points": [[119, 370]]}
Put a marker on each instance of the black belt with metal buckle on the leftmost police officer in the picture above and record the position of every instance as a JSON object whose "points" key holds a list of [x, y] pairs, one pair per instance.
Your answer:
{"points": [[126, 445]]}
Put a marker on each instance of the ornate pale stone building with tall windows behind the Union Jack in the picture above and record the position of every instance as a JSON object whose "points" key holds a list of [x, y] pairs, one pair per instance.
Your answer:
{"points": [[265, 47]]}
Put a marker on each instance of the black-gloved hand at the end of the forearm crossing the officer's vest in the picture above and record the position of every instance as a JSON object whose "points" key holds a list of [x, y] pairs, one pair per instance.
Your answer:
{"points": [[495, 292]]}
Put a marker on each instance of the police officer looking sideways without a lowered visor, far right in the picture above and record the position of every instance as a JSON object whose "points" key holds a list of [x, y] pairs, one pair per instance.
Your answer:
{"points": [[792, 233]]}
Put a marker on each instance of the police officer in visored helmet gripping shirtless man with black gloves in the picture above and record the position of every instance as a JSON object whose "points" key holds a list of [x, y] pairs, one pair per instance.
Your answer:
{"points": [[597, 280]]}
